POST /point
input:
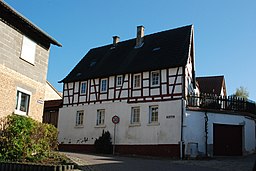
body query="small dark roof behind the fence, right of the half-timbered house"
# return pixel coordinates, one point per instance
(211, 84)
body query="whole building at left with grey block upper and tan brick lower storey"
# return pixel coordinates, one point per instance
(24, 53)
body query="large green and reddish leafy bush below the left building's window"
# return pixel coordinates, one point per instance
(24, 139)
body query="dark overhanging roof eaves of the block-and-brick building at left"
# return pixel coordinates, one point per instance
(16, 20)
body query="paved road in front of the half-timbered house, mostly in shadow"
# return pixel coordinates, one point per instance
(119, 163)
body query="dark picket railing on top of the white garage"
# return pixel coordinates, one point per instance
(230, 103)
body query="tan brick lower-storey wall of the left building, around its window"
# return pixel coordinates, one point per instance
(10, 80)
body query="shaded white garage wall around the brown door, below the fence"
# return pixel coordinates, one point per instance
(194, 129)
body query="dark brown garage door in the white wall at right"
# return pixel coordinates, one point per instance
(227, 140)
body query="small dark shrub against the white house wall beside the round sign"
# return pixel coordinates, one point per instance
(103, 144)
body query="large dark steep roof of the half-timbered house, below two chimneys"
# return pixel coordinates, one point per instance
(160, 50)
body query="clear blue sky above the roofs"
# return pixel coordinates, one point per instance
(225, 31)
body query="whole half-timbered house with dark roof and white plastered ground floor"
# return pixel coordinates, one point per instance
(143, 81)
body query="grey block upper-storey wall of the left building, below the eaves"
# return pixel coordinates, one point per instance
(10, 52)
